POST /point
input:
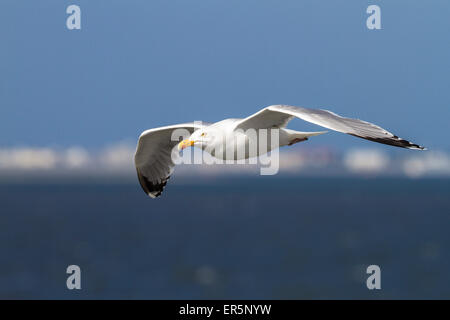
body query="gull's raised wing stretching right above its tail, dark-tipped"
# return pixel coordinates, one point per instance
(280, 115)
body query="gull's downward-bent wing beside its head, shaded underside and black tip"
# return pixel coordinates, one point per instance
(153, 158)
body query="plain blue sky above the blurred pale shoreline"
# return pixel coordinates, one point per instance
(141, 64)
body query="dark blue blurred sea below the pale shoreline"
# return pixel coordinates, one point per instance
(258, 238)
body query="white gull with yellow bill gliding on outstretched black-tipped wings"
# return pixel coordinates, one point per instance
(154, 162)
